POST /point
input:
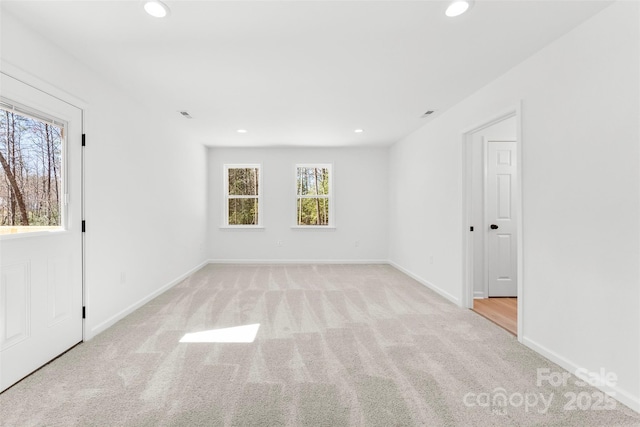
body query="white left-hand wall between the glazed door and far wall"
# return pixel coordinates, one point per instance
(145, 187)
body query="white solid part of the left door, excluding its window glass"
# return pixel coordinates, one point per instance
(41, 271)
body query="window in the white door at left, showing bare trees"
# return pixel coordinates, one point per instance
(31, 172)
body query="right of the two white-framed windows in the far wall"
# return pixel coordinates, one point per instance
(313, 196)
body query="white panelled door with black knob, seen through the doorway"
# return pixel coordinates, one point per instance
(501, 227)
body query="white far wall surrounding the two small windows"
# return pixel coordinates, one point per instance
(360, 184)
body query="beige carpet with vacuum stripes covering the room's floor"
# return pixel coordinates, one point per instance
(337, 346)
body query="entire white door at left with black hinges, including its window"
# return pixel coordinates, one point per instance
(40, 265)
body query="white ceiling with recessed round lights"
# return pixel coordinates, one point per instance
(301, 73)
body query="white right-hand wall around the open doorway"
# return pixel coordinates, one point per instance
(581, 214)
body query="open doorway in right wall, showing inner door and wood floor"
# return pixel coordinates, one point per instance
(492, 285)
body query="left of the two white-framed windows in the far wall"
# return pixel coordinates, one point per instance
(242, 185)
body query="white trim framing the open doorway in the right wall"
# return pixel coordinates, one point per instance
(467, 235)
